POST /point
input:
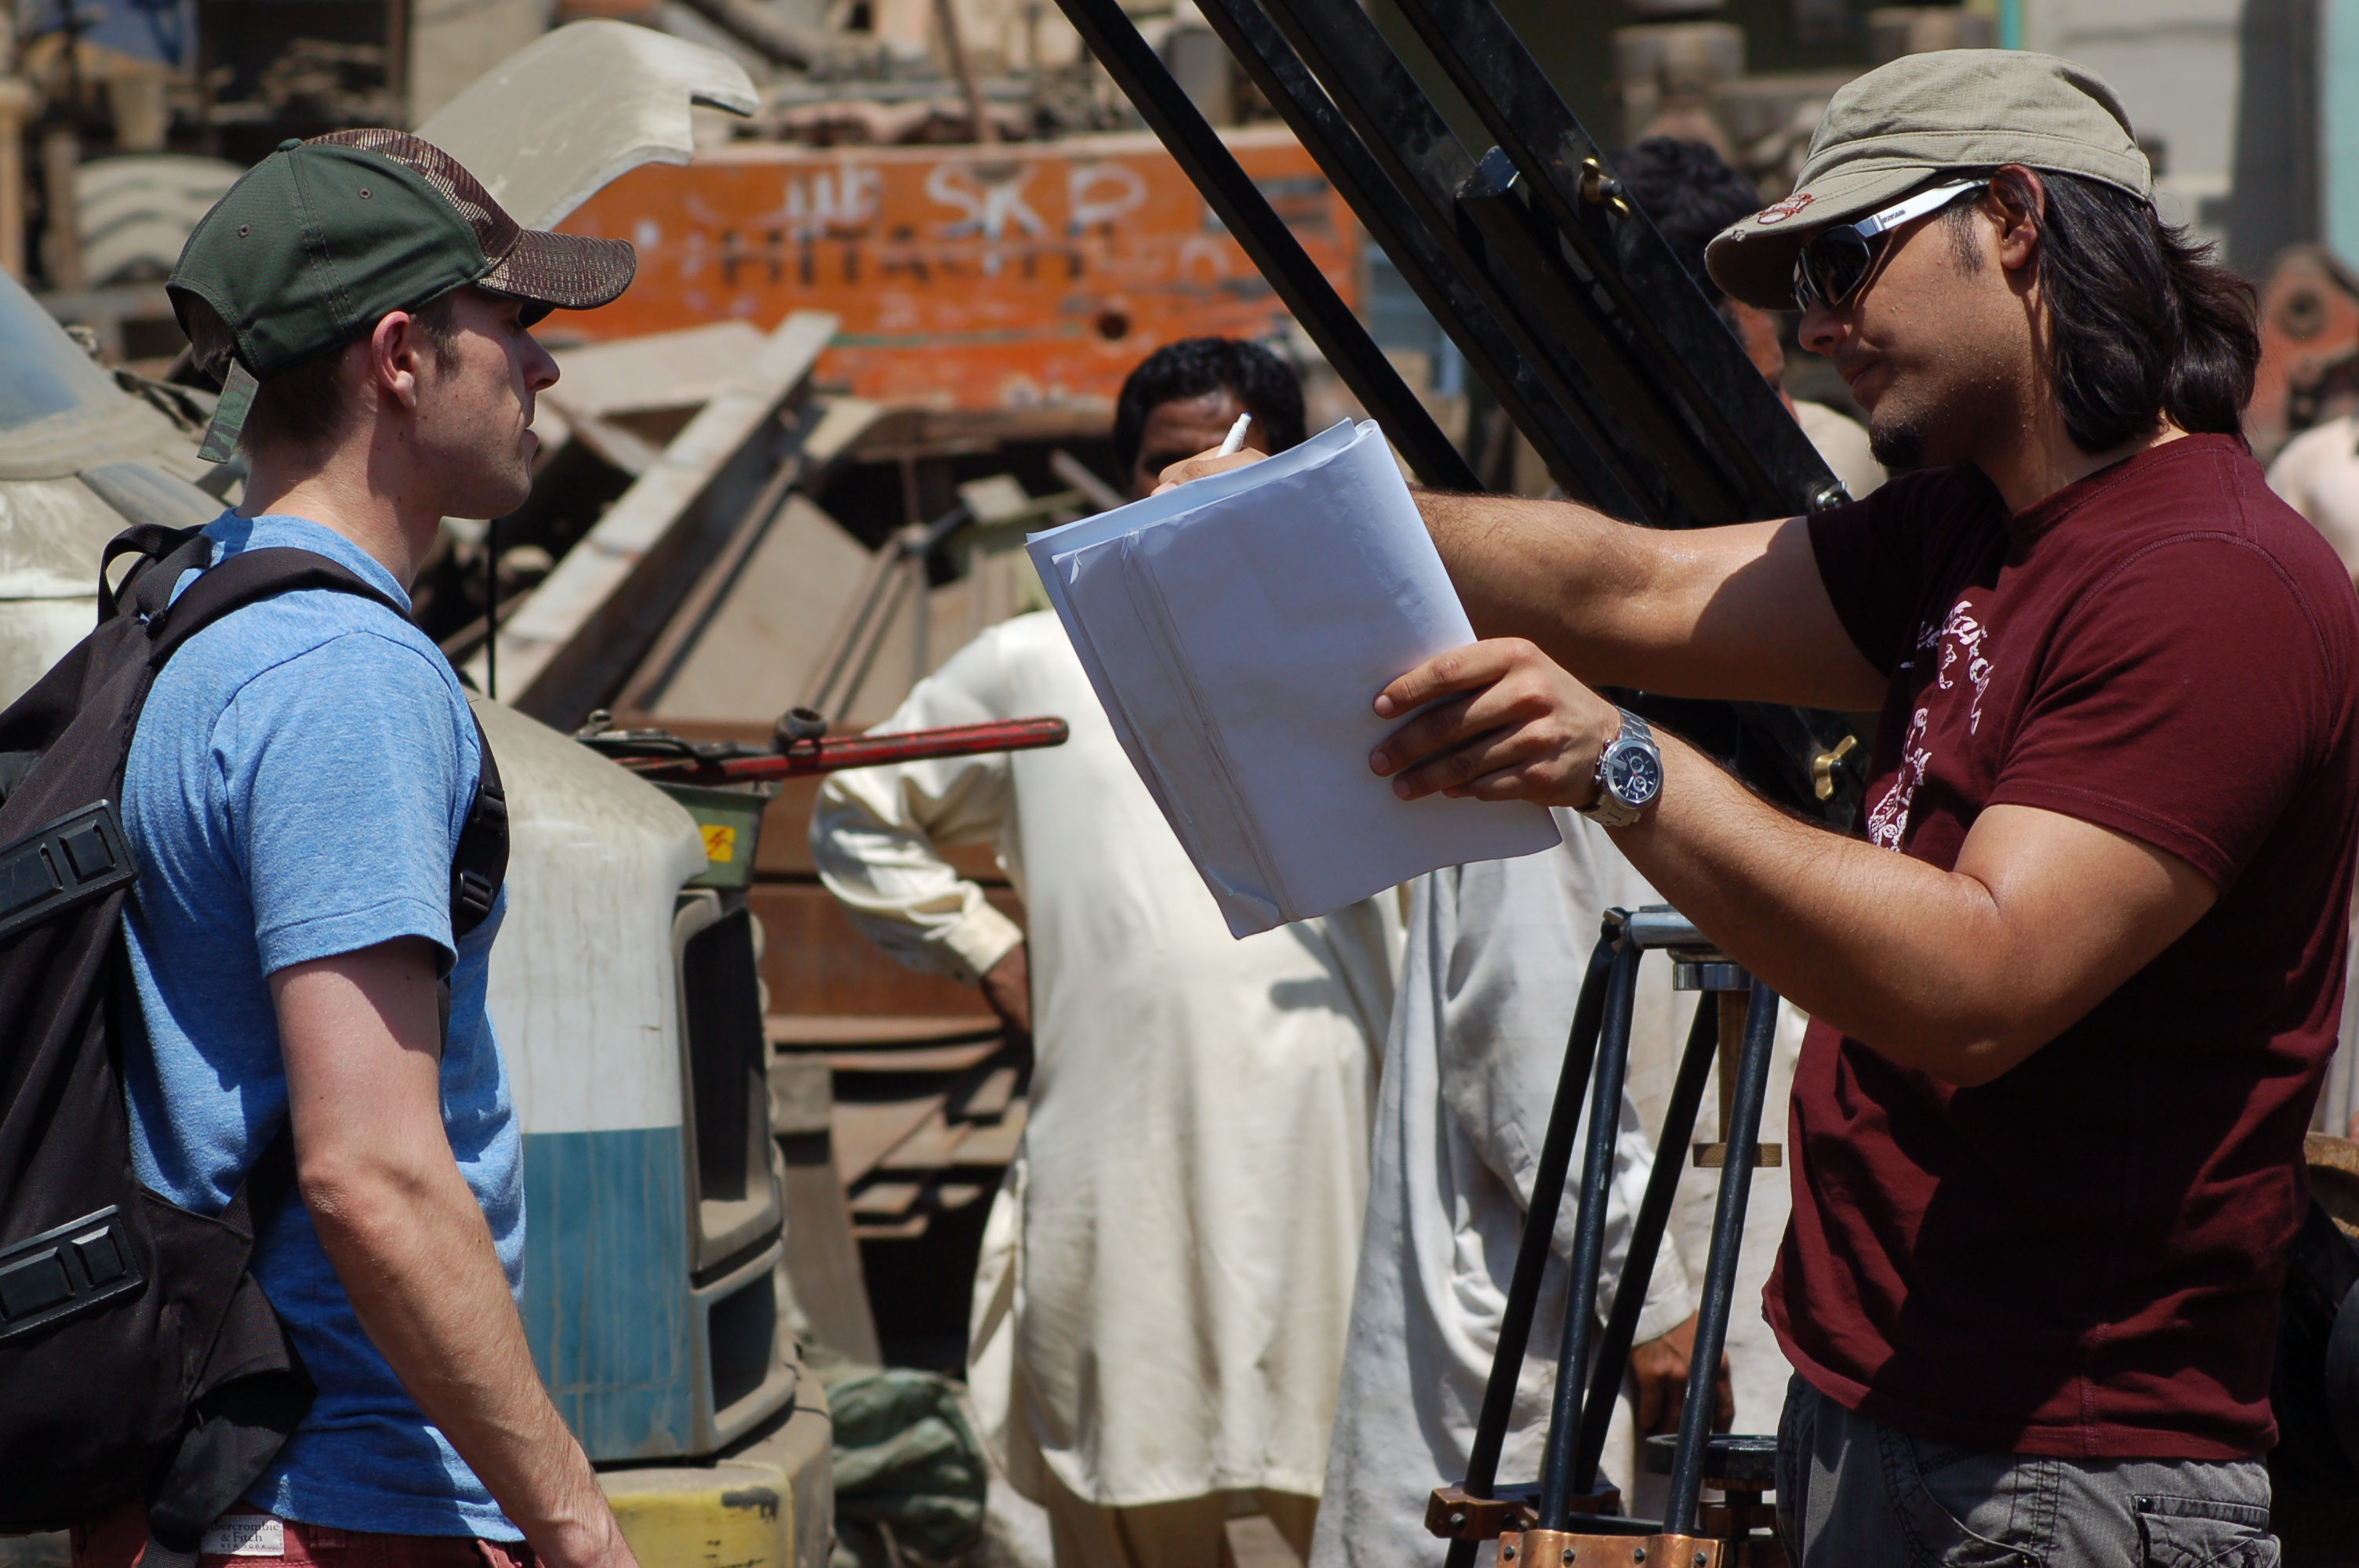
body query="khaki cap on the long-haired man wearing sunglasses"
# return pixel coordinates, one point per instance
(1919, 119)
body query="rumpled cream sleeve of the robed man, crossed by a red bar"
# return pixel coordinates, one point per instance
(876, 834)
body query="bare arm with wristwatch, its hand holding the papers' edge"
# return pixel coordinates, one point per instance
(1959, 973)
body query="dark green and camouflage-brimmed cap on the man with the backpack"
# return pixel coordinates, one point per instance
(324, 237)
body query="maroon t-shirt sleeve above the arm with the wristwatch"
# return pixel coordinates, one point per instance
(2183, 704)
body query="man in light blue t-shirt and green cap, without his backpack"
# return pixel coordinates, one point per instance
(305, 954)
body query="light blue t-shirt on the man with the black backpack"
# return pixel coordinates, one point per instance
(296, 791)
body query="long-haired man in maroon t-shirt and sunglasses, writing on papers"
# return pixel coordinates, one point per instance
(2077, 977)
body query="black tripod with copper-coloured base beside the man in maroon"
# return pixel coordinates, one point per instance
(1570, 1520)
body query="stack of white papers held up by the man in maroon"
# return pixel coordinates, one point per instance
(1237, 633)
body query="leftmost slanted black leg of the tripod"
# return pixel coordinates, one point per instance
(1539, 1227)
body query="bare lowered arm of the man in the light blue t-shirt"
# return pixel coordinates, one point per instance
(362, 1039)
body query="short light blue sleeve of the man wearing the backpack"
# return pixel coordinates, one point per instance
(346, 779)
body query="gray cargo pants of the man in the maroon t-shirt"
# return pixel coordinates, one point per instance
(1853, 1494)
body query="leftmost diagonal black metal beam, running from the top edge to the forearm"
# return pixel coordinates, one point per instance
(1273, 246)
